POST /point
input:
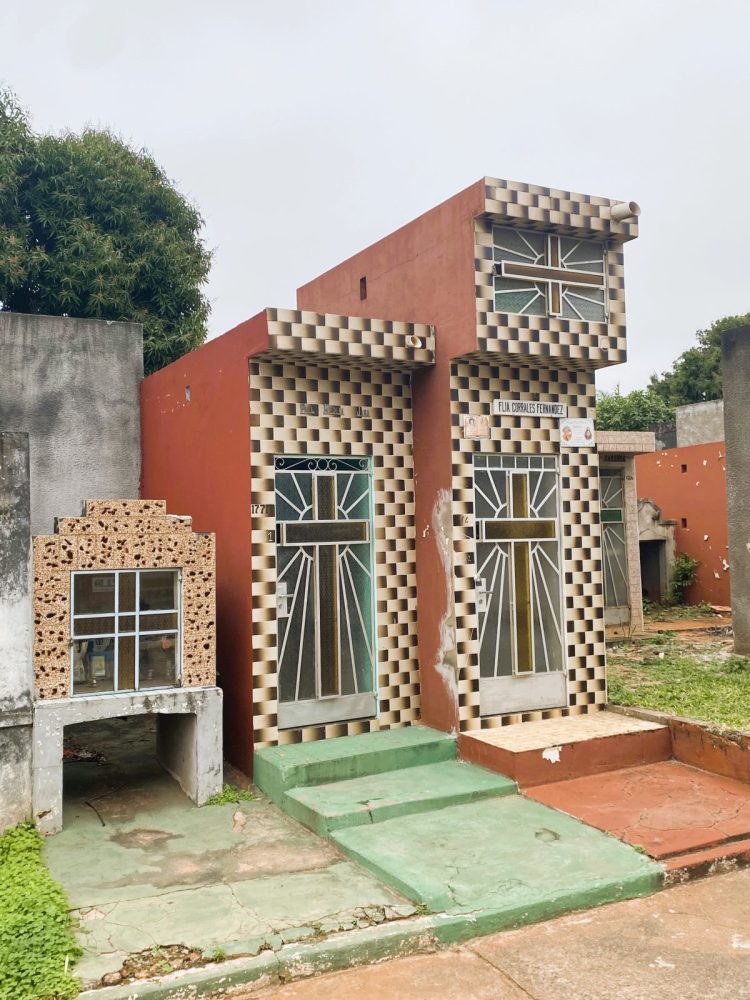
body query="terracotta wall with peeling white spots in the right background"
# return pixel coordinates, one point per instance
(689, 485)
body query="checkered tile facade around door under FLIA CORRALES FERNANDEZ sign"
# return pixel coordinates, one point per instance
(474, 385)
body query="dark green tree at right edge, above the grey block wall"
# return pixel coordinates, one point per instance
(696, 375)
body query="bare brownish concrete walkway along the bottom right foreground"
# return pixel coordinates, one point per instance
(690, 942)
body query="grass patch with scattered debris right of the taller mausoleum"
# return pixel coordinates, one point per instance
(706, 685)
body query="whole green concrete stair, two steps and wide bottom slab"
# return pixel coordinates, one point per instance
(453, 837)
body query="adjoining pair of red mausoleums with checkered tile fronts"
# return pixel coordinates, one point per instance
(402, 475)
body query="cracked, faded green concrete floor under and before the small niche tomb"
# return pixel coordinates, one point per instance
(138, 871)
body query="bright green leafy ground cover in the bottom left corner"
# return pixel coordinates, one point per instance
(37, 946)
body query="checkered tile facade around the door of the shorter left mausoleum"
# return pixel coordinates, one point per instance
(277, 428)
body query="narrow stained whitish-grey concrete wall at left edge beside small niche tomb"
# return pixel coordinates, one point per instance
(16, 675)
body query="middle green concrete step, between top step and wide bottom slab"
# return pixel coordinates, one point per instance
(377, 797)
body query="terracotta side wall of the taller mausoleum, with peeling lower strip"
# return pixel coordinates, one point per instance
(423, 273)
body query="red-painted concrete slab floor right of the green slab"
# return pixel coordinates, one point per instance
(667, 808)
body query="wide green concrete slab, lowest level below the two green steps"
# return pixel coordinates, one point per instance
(504, 860)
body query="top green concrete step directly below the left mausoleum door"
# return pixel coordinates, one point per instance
(320, 762)
